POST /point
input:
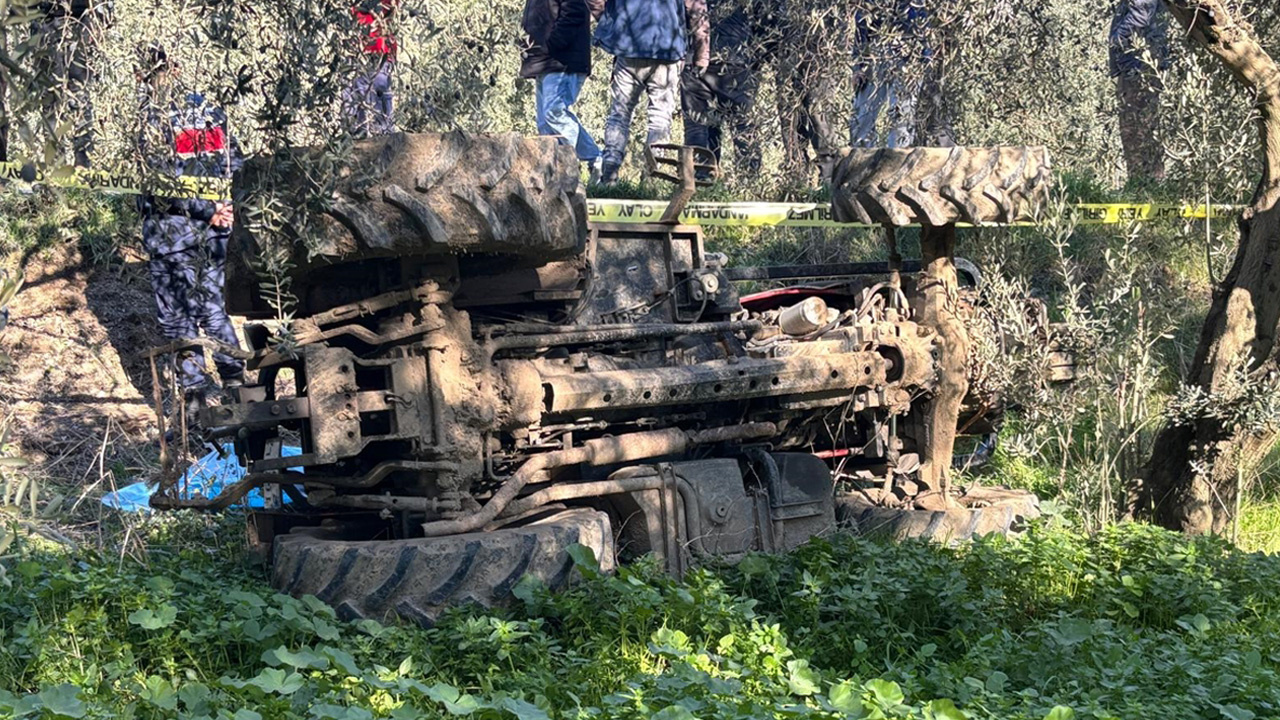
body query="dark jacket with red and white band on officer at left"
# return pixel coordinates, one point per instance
(191, 139)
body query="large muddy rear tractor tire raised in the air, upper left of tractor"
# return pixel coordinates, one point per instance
(415, 195)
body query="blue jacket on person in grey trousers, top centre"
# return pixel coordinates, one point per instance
(656, 30)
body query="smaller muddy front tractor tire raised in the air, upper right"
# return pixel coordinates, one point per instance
(939, 186)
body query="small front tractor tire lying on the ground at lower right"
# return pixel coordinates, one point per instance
(1007, 517)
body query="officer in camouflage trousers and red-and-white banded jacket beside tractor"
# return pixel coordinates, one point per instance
(188, 239)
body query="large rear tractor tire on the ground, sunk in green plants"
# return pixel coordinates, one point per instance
(417, 580)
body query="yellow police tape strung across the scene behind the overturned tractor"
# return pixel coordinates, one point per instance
(604, 211)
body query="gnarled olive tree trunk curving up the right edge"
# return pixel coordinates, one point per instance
(1192, 477)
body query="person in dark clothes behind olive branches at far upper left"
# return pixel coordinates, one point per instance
(67, 37)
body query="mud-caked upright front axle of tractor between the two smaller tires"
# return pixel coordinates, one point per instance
(939, 293)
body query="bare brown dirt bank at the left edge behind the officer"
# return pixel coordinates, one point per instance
(79, 394)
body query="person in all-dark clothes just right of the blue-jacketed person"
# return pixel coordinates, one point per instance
(725, 93)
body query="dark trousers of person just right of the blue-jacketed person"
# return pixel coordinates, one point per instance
(721, 97)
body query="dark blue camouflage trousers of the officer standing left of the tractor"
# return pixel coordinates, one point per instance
(189, 288)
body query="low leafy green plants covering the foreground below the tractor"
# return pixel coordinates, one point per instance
(1131, 623)
